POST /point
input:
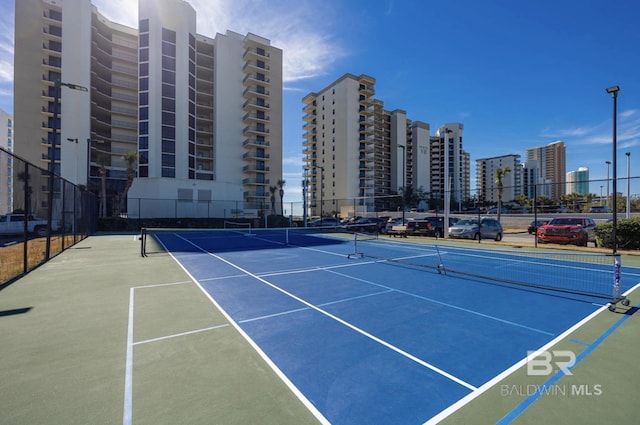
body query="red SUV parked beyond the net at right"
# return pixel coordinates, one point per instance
(568, 230)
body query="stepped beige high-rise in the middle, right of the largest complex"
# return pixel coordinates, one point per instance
(359, 156)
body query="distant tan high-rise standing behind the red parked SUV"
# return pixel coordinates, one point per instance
(552, 166)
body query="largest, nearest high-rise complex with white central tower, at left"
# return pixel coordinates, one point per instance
(202, 114)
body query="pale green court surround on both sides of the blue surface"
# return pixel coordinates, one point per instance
(69, 328)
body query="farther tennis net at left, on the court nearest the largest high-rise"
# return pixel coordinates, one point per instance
(155, 240)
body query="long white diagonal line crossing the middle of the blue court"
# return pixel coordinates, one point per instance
(337, 319)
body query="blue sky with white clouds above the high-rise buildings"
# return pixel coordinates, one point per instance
(516, 74)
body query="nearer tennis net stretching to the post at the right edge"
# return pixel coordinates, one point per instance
(589, 274)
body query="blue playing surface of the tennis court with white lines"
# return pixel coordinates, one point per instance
(367, 340)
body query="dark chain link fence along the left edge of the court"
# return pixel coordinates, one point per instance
(37, 223)
